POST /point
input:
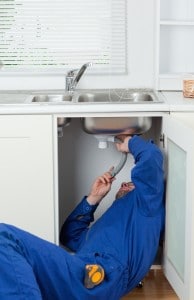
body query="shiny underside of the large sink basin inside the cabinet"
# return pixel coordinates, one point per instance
(116, 125)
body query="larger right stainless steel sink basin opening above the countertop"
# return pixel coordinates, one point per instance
(133, 96)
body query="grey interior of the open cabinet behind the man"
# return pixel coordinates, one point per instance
(80, 162)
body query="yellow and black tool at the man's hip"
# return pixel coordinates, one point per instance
(94, 275)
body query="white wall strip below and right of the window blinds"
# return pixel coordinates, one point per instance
(141, 58)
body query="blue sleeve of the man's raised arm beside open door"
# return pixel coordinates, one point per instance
(147, 175)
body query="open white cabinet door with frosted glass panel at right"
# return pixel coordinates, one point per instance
(179, 232)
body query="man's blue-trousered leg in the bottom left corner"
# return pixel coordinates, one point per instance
(17, 280)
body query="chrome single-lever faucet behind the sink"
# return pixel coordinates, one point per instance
(73, 77)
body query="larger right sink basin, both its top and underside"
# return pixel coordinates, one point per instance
(118, 125)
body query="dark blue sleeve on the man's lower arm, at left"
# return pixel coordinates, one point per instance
(74, 230)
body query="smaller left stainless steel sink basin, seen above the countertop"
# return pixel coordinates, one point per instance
(52, 98)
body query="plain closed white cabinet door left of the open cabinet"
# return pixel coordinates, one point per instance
(26, 173)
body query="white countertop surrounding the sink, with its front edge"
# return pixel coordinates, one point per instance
(18, 102)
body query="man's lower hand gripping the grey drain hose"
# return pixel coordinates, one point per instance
(100, 188)
